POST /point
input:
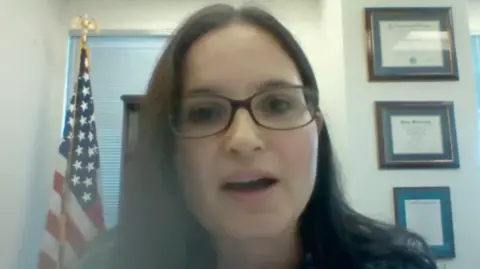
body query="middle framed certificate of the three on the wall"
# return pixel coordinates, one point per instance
(416, 135)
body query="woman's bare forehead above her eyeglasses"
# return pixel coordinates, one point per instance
(235, 59)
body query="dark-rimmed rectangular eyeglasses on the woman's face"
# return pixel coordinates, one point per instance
(282, 108)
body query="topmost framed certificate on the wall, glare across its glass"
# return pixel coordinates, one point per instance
(410, 44)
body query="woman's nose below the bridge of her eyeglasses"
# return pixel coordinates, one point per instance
(243, 138)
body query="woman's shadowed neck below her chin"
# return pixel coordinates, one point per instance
(282, 252)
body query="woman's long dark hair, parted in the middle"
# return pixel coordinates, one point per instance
(156, 230)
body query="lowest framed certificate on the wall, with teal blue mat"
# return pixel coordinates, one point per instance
(427, 211)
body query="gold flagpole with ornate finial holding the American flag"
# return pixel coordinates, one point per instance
(85, 24)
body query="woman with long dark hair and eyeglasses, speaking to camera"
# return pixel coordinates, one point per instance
(234, 167)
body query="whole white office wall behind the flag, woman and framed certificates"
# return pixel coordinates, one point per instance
(331, 34)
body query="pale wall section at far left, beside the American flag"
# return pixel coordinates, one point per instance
(32, 47)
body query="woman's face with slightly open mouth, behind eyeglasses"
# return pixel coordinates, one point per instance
(237, 62)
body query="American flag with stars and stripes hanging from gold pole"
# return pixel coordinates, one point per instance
(75, 214)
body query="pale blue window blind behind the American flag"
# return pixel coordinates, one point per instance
(119, 65)
